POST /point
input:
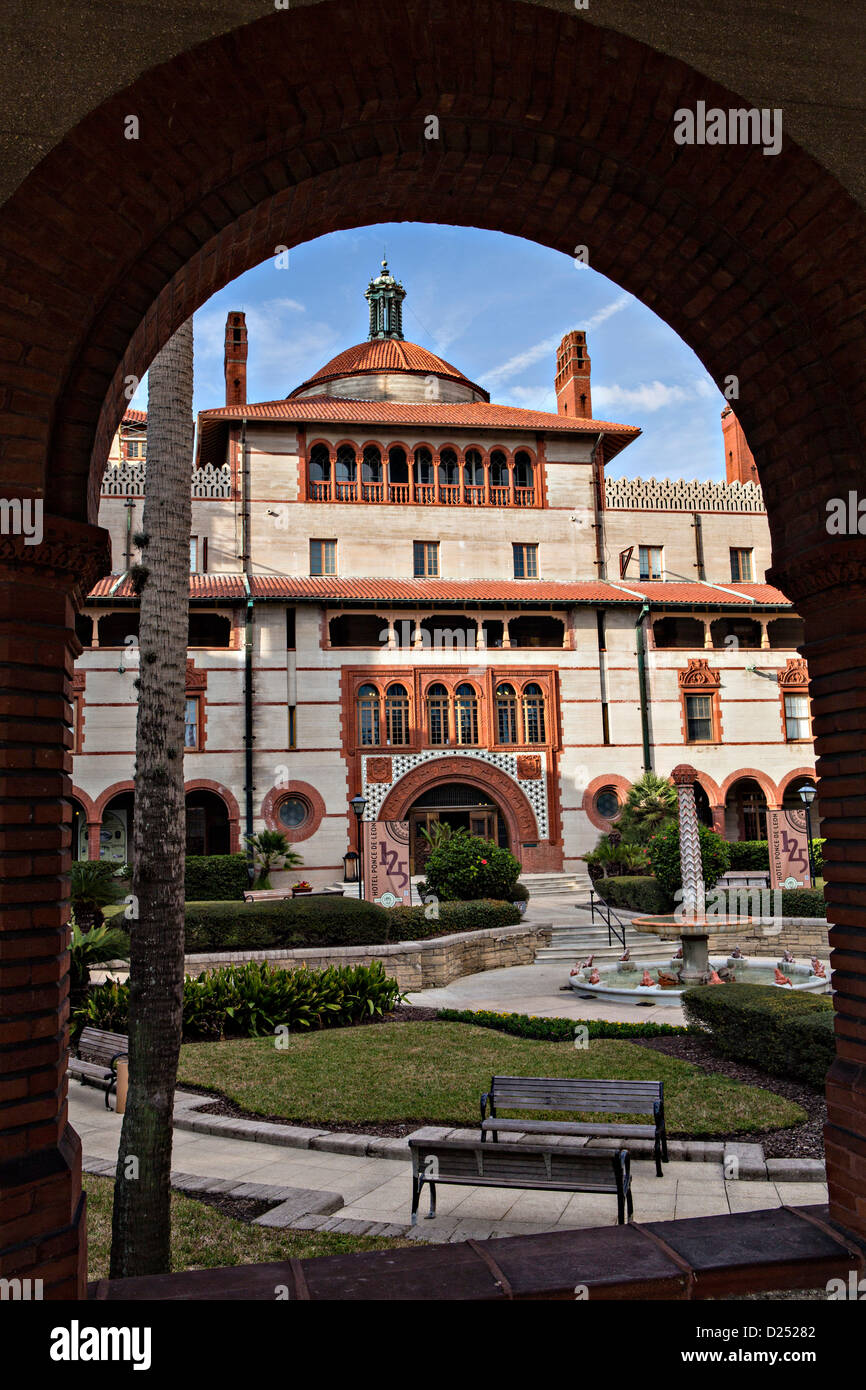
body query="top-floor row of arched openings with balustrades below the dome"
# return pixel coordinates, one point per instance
(451, 476)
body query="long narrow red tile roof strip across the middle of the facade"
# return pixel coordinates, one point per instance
(333, 589)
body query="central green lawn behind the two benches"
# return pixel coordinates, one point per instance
(433, 1074)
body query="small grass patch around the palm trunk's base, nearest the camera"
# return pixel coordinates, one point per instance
(202, 1238)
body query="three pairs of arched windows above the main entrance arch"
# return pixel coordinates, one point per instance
(451, 719)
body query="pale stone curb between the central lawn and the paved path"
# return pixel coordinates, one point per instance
(744, 1161)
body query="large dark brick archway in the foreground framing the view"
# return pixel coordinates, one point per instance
(758, 263)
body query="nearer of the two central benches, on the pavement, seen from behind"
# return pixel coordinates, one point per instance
(476, 1164)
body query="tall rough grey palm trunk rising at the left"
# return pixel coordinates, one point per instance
(142, 1214)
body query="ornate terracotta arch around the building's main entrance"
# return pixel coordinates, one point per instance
(532, 850)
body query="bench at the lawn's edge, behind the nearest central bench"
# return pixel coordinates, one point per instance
(550, 1093)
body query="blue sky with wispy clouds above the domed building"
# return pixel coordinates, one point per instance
(493, 305)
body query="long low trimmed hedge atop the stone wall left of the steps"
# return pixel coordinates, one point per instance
(332, 921)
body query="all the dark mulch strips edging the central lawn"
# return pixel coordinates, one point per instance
(804, 1140)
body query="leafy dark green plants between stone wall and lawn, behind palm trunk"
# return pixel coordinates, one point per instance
(254, 1000)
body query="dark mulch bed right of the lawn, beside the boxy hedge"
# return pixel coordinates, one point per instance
(804, 1140)
